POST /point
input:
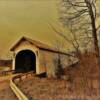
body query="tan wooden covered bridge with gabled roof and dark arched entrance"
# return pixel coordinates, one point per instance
(31, 55)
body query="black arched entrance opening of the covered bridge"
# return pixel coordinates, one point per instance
(25, 61)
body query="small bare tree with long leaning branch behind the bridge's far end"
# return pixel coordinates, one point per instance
(73, 40)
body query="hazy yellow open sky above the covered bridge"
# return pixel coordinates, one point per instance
(29, 18)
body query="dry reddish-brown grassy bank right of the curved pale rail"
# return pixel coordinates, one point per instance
(82, 83)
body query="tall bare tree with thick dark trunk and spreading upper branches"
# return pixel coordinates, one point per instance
(80, 16)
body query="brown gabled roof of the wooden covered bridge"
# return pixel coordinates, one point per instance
(39, 45)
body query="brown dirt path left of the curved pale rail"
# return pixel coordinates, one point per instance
(5, 91)
